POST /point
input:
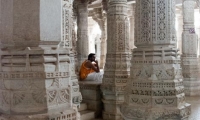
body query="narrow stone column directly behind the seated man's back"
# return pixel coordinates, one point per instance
(82, 31)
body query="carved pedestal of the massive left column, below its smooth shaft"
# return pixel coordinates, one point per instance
(37, 81)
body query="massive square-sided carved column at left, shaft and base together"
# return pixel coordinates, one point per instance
(37, 78)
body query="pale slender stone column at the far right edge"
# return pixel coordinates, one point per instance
(190, 50)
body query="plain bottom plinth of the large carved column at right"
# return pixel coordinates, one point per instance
(144, 113)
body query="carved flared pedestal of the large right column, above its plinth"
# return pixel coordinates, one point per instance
(155, 80)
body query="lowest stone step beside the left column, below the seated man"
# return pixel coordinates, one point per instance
(87, 115)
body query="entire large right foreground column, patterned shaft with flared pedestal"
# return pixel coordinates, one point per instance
(155, 89)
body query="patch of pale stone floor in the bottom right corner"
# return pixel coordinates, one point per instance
(195, 104)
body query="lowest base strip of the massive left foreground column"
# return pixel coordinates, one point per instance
(66, 115)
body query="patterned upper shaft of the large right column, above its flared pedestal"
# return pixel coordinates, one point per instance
(155, 27)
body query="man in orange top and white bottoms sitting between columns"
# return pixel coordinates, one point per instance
(90, 69)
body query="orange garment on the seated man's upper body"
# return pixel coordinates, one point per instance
(84, 71)
